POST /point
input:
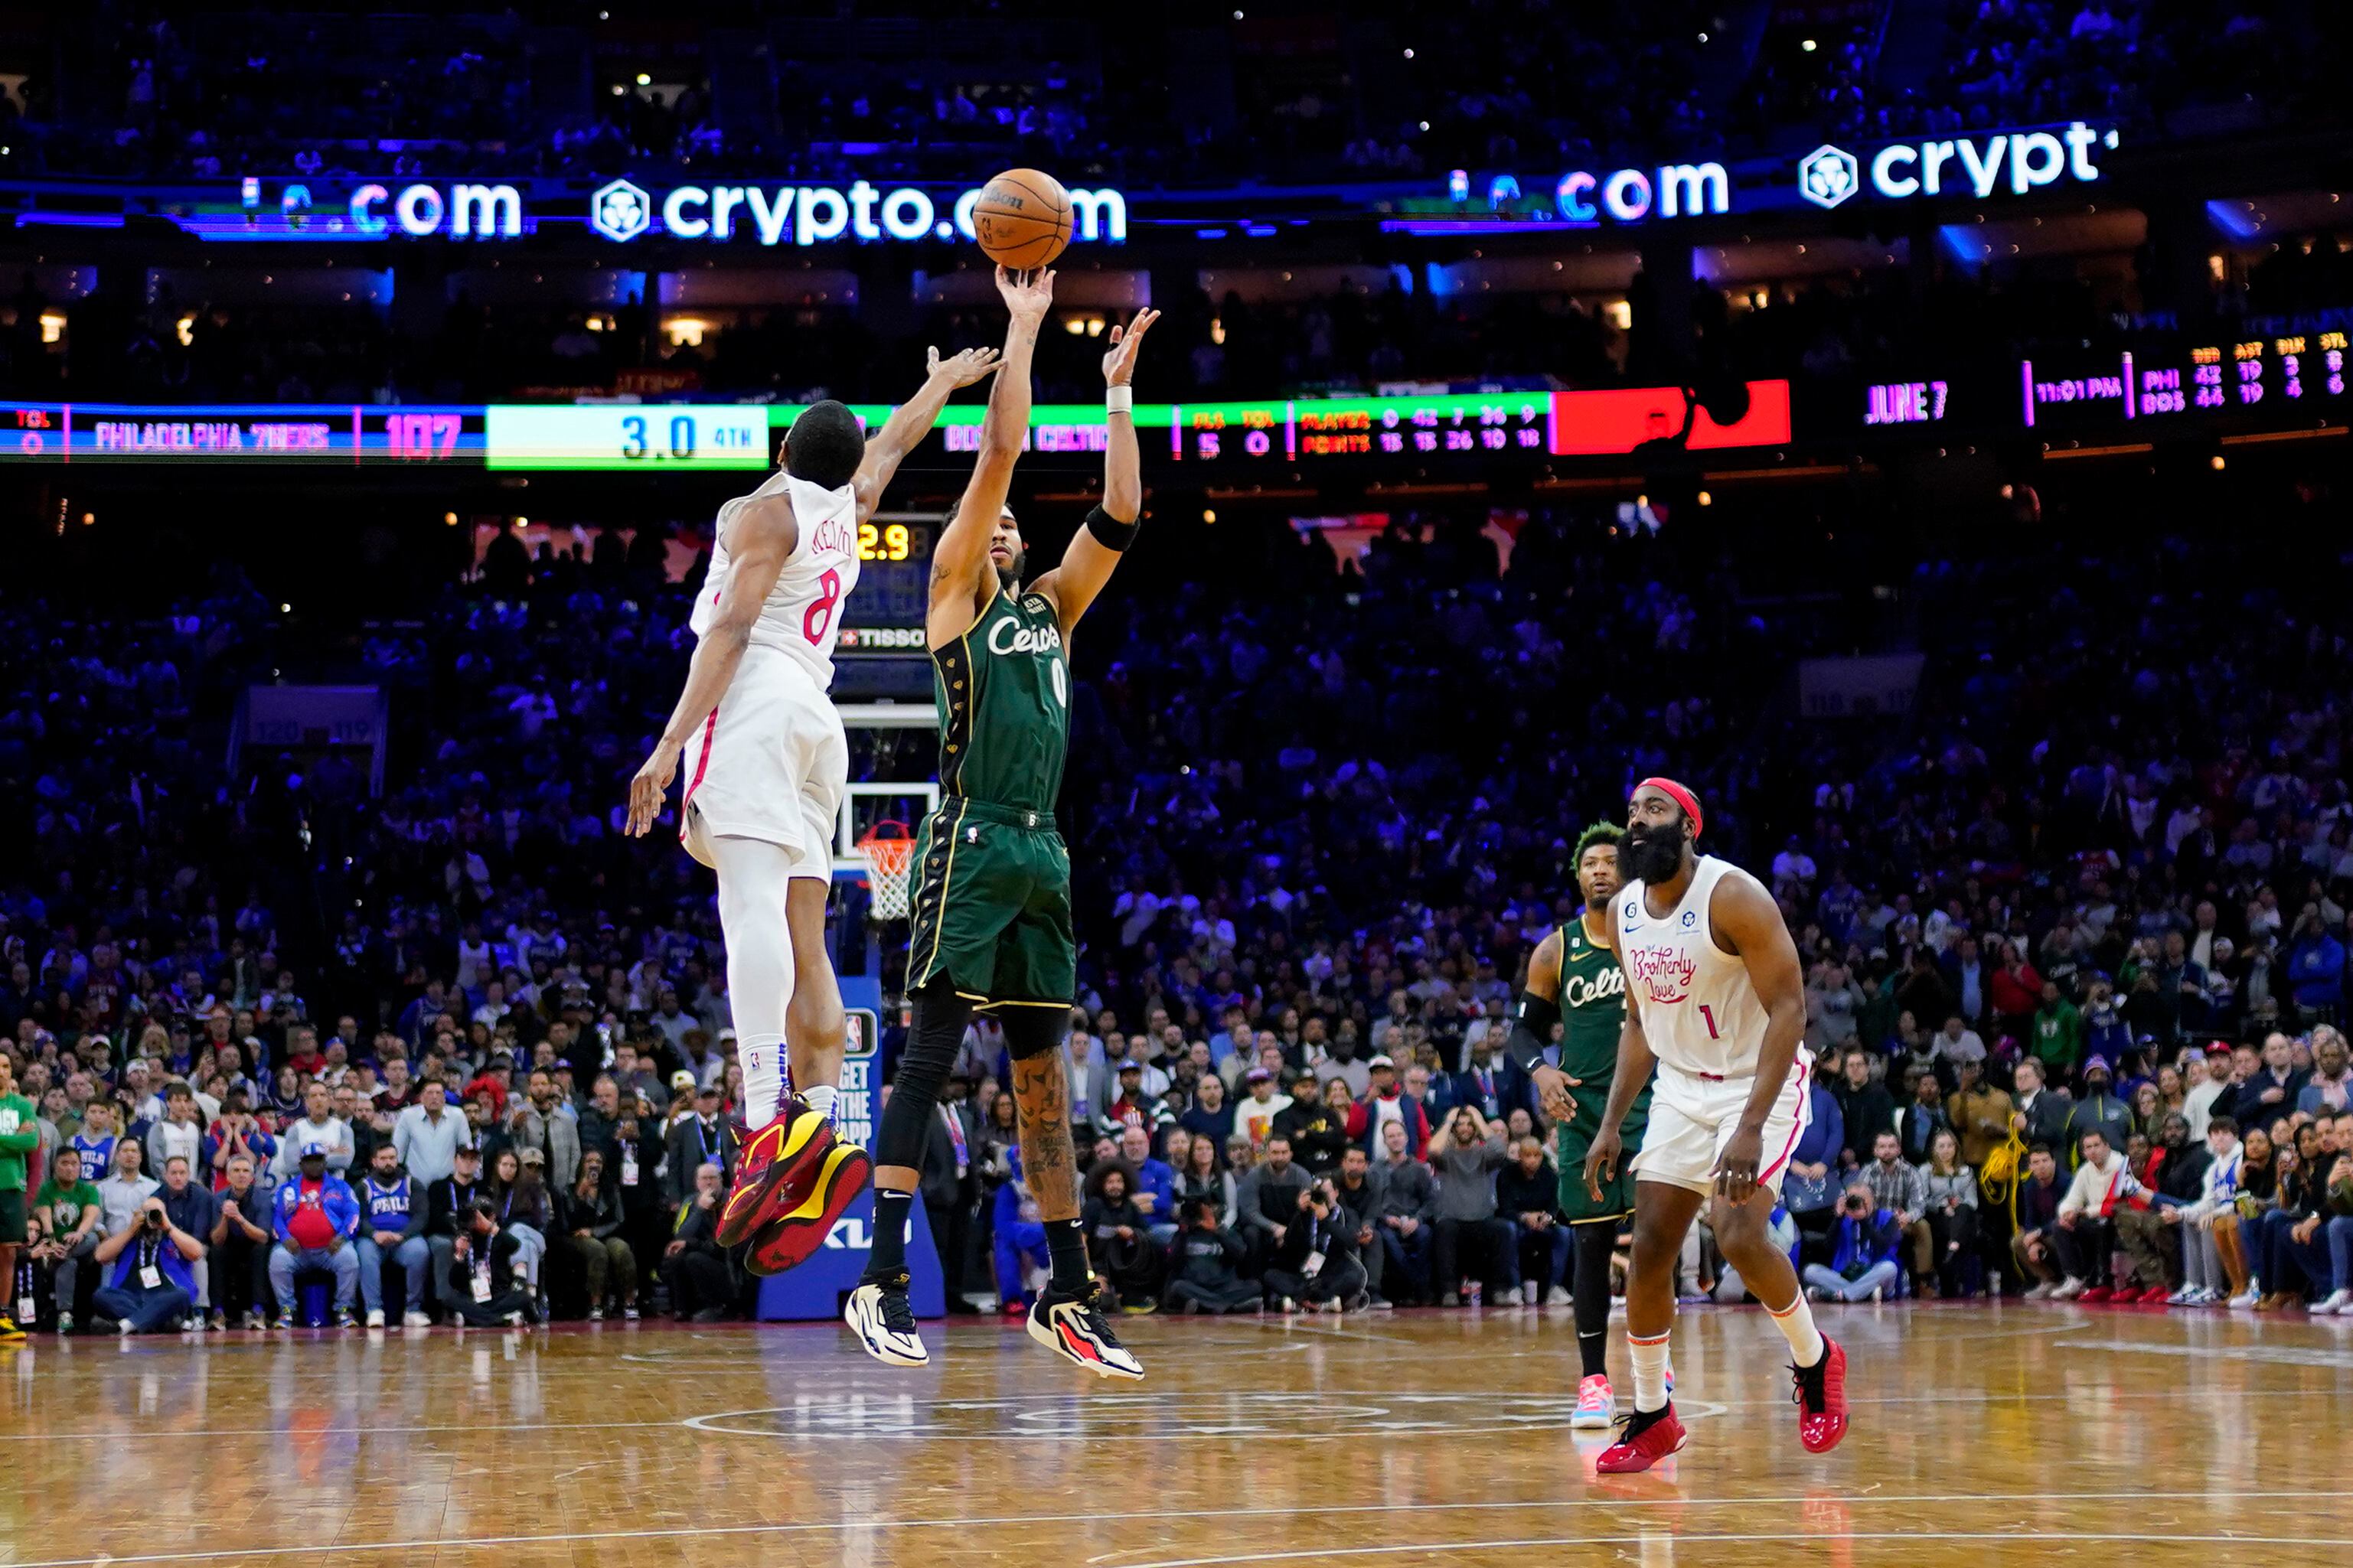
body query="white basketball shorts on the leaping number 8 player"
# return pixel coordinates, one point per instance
(771, 765)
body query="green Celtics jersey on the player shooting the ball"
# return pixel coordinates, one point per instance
(1006, 706)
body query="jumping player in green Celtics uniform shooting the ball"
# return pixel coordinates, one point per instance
(992, 920)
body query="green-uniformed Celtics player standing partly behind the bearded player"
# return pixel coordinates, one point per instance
(1575, 981)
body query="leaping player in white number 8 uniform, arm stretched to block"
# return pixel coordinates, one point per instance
(771, 768)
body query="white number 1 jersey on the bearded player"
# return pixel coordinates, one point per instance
(1700, 1010)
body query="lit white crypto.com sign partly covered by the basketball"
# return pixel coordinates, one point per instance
(818, 215)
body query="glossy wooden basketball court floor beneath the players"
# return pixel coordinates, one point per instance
(2067, 1435)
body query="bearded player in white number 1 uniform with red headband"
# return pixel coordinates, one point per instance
(1719, 1007)
